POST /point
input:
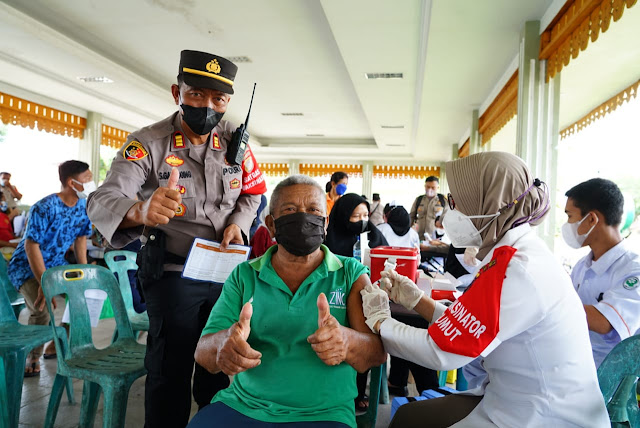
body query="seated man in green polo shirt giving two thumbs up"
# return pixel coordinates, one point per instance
(289, 325)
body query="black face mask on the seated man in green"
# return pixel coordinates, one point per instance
(300, 233)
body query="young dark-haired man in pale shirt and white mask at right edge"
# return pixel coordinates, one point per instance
(608, 278)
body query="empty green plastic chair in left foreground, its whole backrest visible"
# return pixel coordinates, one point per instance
(111, 370)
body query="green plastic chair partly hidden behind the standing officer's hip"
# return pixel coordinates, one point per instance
(121, 262)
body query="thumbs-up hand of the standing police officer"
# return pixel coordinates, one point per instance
(162, 205)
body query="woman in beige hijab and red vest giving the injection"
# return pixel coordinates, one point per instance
(520, 315)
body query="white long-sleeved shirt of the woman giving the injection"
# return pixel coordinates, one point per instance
(539, 366)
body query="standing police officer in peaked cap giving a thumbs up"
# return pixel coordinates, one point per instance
(171, 181)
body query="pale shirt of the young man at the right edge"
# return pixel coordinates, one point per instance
(612, 285)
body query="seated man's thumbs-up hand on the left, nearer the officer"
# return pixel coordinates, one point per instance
(236, 355)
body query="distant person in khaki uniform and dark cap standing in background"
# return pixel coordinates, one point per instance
(427, 208)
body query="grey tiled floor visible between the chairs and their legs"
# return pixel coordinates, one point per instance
(36, 390)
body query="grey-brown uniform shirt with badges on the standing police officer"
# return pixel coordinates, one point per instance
(209, 186)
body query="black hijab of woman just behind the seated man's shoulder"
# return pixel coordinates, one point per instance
(339, 239)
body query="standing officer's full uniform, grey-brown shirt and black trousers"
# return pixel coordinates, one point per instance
(177, 307)
